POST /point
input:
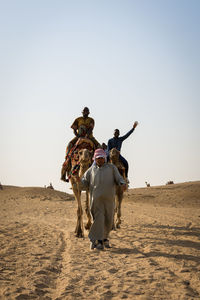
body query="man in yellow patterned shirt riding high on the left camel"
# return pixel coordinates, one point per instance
(83, 128)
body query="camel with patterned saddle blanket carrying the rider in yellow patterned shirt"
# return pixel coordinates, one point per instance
(81, 160)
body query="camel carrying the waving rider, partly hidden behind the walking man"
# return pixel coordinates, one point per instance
(114, 159)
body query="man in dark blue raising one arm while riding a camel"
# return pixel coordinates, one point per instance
(116, 142)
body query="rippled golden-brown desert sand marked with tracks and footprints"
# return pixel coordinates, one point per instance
(155, 254)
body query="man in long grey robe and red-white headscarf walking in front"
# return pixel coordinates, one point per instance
(101, 179)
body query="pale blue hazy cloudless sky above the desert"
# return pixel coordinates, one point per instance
(130, 60)
